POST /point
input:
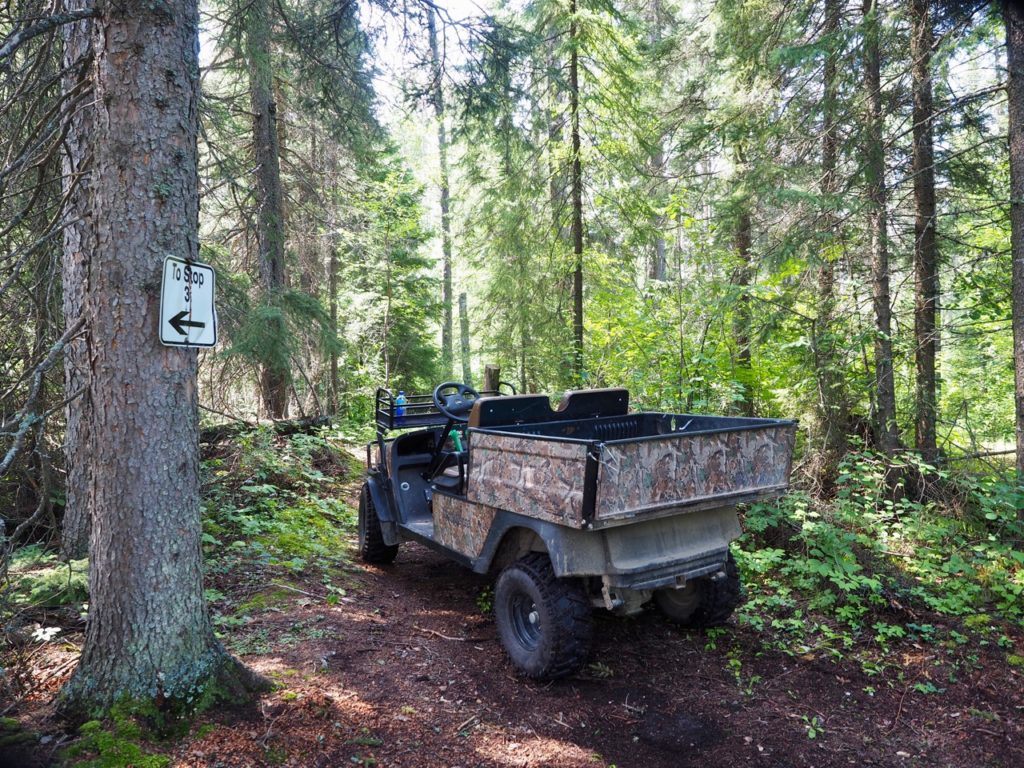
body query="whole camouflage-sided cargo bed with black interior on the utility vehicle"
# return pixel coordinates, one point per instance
(594, 473)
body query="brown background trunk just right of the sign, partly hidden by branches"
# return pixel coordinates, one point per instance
(268, 191)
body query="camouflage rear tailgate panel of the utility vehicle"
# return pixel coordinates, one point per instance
(732, 465)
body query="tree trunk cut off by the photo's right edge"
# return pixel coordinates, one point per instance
(1014, 17)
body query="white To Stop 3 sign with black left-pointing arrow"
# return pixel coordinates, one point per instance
(188, 317)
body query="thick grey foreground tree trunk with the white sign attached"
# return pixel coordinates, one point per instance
(149, 635)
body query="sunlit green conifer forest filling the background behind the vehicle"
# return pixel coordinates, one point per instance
(682, 199)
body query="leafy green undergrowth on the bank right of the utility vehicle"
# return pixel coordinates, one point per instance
(868, 574)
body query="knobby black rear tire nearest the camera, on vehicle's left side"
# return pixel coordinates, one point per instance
(545, 623)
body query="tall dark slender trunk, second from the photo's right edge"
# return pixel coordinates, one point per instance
(926, 254)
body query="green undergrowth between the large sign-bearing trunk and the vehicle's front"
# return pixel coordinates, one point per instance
(276, 520)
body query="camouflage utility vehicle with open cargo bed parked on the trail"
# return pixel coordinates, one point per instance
(583, 506)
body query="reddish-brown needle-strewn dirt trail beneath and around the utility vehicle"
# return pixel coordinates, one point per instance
(401, 666)
